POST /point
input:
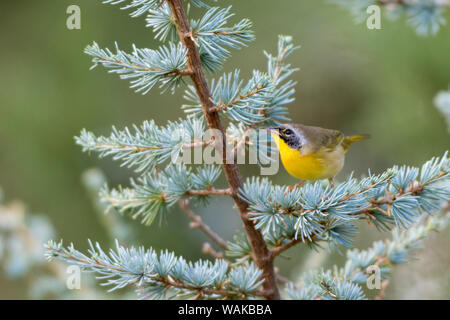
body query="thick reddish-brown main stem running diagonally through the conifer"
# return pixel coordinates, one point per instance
(260, 252)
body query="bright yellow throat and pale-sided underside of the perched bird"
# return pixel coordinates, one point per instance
(312, 166)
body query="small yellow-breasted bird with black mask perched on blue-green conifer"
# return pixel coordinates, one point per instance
(312, 153)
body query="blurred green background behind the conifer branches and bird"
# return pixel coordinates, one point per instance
(353, 79)
